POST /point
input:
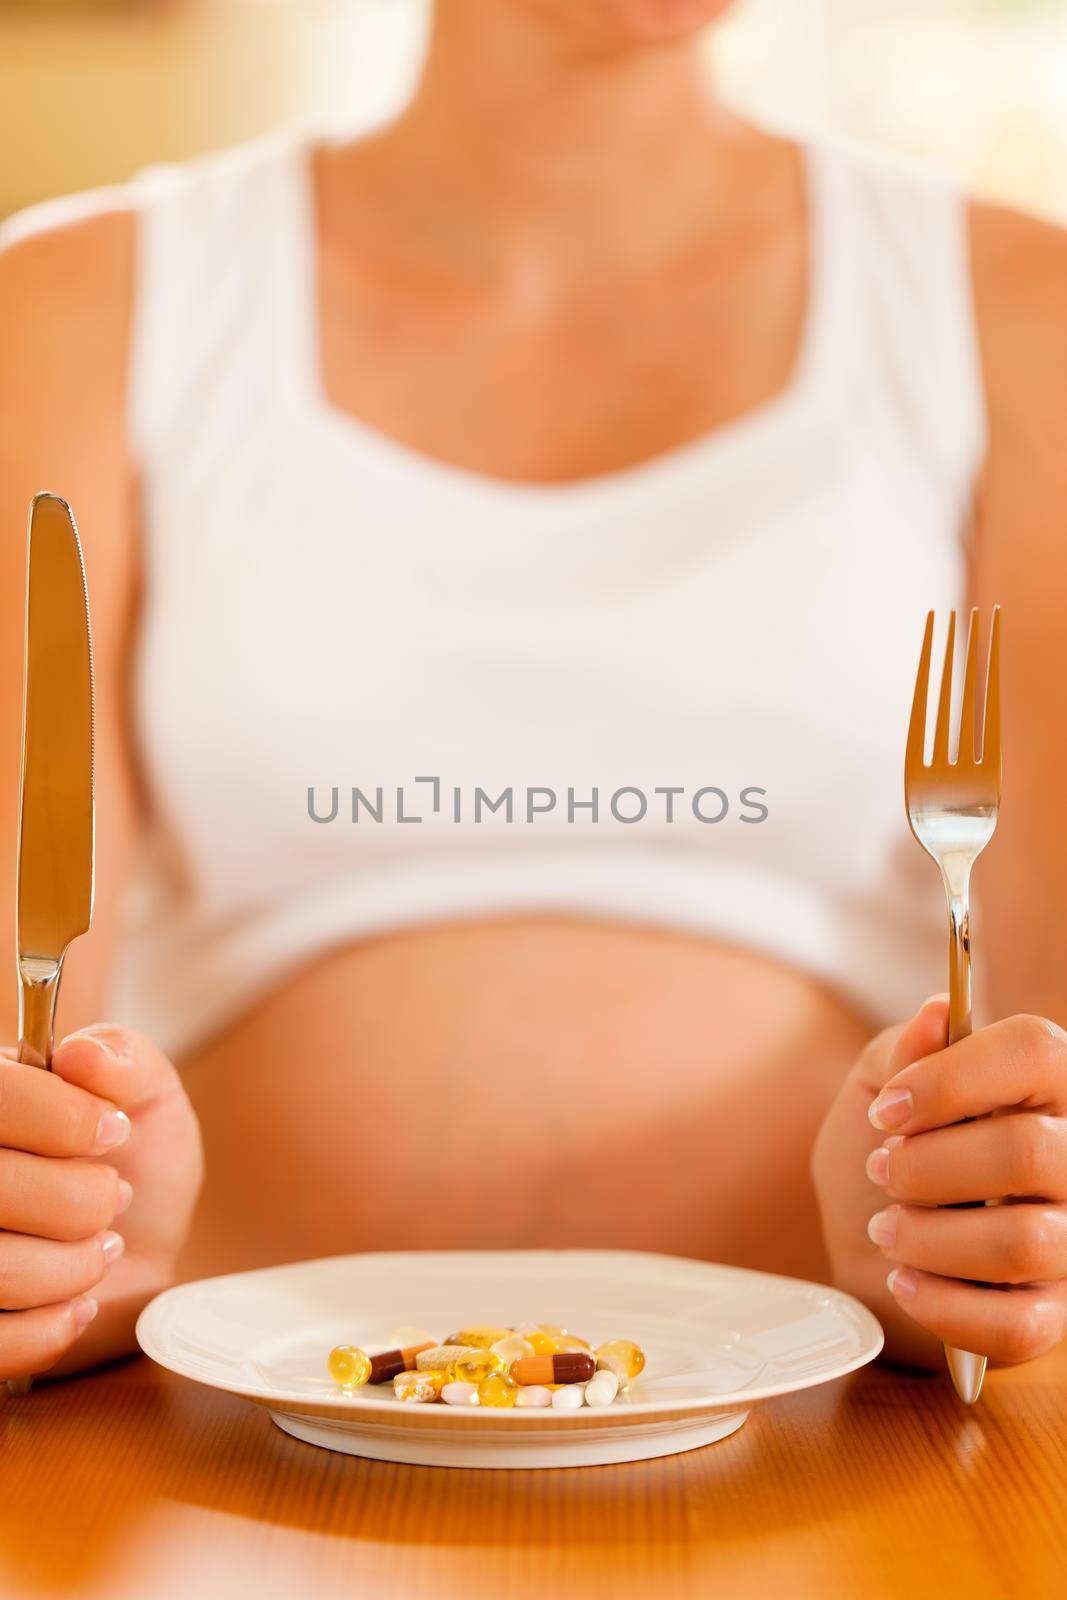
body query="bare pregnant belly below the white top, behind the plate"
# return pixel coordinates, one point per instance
(518, 1084)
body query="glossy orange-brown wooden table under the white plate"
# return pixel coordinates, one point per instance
(135, 1484)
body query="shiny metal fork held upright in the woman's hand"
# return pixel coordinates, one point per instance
(953, 810)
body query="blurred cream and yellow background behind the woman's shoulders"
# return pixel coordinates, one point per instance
(90, 90)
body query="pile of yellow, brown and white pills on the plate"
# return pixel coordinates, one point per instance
(529, 1367)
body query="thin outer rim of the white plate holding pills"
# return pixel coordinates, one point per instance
(374, 1412)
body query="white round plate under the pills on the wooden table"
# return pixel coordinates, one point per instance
(717, 1342)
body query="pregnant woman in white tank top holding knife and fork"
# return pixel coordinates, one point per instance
(564, 436)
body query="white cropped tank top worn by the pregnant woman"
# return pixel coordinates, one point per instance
(737, 622)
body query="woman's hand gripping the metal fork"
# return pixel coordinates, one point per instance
(897, 1153)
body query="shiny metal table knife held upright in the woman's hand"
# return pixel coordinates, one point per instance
(57, 818)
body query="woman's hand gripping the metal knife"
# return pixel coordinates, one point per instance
(100, 1172)
